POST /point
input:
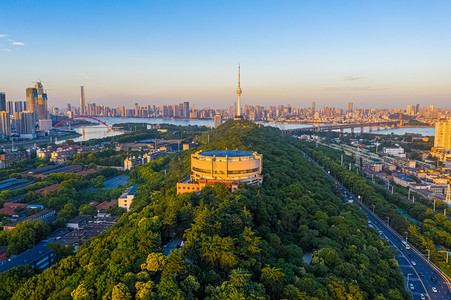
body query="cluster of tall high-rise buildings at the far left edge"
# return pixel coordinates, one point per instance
(24, 118)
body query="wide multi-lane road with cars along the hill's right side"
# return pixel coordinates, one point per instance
(417, 270)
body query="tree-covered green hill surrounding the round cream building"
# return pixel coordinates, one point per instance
(249, 244)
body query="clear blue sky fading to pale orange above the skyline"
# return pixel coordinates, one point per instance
(374, 53)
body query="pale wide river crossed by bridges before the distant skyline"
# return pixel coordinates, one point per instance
(100, 131)
